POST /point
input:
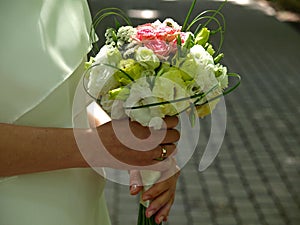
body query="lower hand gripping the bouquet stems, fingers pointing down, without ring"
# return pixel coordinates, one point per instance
(161, 194)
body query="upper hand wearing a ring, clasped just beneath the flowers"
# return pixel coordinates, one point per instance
(138, 149)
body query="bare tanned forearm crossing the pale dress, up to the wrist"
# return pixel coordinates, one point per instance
(32, 149)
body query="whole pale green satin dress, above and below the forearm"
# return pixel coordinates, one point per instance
(42, 48)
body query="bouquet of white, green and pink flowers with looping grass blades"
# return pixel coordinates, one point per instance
(158, 69)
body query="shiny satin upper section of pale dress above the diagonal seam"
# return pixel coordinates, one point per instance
(42, 43)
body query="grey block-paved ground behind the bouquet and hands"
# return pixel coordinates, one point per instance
(255, 178)
